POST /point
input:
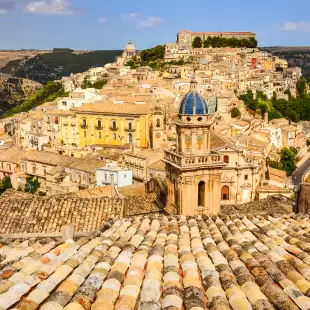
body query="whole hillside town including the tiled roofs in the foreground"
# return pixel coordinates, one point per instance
(154, 185)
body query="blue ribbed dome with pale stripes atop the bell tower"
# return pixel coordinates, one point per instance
(193, 104)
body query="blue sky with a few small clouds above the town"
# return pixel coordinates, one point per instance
(108, 24)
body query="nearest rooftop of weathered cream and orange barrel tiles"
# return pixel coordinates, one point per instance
(160, 262)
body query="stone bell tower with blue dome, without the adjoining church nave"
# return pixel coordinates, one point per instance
(193, 172)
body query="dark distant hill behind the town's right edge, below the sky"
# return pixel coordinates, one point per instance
(297, 56)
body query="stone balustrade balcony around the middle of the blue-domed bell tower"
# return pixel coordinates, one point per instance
(190, 161)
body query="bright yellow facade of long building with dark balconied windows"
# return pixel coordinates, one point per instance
(95, 128)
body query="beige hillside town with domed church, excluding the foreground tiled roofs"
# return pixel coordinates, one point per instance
(141, 125)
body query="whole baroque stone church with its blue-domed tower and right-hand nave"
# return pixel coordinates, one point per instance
(204, 171)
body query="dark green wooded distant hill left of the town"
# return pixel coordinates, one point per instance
(58, 63)
